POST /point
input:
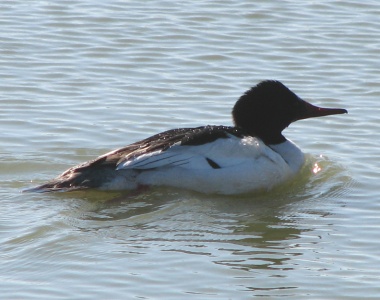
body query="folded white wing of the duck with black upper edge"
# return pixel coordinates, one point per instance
(198, 148)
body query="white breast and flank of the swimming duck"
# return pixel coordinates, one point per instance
(245, 165)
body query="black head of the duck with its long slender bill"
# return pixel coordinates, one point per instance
(269, 107)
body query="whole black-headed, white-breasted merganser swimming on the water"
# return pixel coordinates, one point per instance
(249, 156)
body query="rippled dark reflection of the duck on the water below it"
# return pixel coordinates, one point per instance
(248, 232)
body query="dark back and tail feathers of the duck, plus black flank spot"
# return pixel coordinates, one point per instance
(94, 173)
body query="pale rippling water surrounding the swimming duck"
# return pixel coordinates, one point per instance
(80, 78)
